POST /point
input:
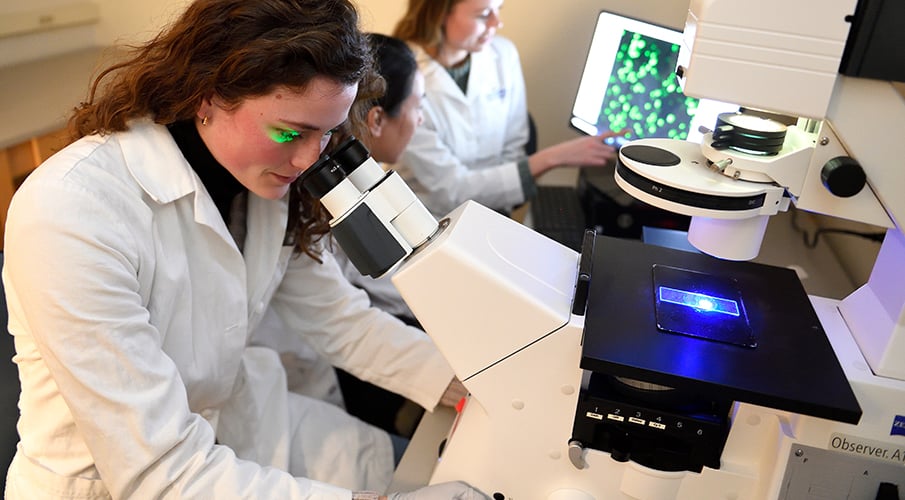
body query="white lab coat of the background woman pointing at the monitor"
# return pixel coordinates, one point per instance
(468, 144)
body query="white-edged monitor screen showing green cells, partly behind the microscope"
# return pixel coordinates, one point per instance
(629, 84)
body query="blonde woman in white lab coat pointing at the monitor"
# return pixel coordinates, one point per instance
(471, 145)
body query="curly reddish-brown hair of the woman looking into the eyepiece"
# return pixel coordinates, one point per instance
(237, 49)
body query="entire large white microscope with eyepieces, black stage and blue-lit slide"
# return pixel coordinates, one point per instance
(630, 371)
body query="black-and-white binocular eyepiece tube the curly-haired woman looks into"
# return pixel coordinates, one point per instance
(377, 219)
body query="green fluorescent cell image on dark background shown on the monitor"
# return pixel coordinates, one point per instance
(643, 94)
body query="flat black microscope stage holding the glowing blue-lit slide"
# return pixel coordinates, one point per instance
(730, 330)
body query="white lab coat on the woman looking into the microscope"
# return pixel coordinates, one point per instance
(131, 306)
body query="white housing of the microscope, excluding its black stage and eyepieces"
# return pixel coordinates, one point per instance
(497, 298)
